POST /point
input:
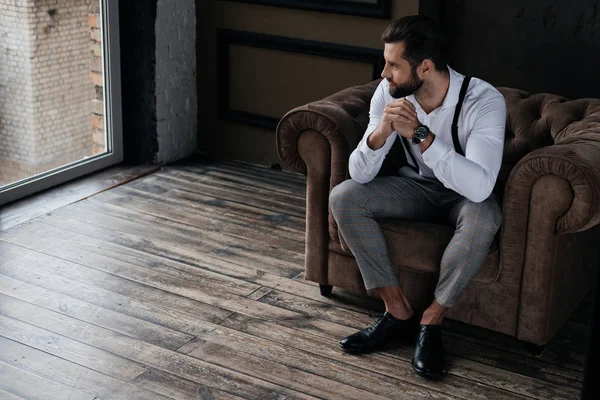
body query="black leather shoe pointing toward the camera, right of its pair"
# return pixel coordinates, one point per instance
(429, 352)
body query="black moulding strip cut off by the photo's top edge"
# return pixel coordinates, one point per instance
(376, 9)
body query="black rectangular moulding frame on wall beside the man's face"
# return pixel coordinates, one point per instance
(226, 38)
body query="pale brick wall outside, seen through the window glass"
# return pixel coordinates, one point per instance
(45, 86)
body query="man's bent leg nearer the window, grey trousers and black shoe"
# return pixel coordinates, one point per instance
(355, 207)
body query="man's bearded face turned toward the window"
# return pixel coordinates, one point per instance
(403, 80)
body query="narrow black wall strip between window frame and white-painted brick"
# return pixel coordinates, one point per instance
(138, 72)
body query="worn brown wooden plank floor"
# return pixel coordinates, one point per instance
(188, 284)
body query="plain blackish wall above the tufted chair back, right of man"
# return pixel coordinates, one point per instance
(537, 46)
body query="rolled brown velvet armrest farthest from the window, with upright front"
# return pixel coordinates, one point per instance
(551, 203)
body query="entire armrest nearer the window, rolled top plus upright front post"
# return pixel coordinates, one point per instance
(316, 140)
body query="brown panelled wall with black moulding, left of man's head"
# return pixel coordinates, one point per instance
(267, 82)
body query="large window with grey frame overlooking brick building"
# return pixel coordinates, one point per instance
(60, 92)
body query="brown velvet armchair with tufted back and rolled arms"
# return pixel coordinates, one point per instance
(547, 252)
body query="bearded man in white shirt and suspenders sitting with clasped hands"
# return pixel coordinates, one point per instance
(417, 102)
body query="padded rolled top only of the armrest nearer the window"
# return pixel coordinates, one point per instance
(341, 118)
